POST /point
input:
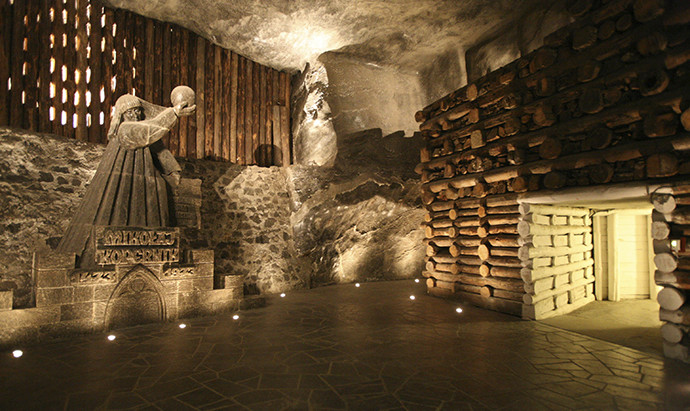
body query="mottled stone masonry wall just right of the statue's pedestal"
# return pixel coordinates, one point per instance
(245, 219)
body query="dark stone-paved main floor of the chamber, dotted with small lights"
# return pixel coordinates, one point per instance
(344, 347)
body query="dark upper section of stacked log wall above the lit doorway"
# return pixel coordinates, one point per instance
(605, 100)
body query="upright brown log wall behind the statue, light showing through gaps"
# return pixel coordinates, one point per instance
(64, 63)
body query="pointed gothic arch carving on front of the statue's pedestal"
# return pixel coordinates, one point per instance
(138, 299)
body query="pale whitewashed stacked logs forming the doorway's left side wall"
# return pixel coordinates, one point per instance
(557, 258)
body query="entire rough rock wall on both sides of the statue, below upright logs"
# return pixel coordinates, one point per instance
(280, 228)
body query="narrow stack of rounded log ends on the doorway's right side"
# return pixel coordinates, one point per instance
(670, 231)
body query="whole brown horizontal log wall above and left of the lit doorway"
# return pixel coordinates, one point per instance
(605, 100)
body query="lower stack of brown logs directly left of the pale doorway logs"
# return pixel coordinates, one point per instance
(472, 251)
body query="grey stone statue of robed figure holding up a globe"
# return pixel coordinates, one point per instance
(136, 176)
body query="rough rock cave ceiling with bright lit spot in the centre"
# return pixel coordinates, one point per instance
(286, 34)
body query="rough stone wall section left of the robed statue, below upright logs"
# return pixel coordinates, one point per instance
(42, 179)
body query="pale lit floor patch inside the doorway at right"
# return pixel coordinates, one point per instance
(630, 323)
